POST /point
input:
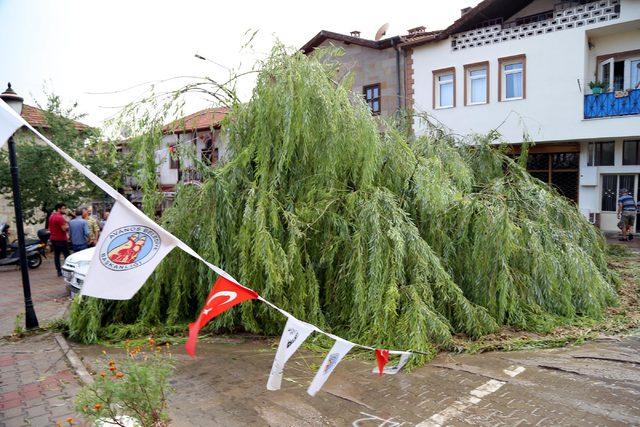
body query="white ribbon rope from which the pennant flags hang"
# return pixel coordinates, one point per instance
(179, 243)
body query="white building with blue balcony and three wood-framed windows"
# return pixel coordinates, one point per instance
(523, 67)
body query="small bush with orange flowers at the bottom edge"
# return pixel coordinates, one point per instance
(135, 387)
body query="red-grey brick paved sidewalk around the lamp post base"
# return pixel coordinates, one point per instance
(37, 386)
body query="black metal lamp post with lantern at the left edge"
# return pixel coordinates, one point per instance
(15, 102)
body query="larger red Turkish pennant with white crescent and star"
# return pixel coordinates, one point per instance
(224, 295)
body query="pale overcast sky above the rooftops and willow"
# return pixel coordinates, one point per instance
(81, 49)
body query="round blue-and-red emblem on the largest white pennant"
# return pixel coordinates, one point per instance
(129, 247)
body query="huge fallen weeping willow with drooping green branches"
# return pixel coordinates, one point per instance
(383, 239)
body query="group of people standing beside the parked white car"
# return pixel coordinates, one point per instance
(83, 231)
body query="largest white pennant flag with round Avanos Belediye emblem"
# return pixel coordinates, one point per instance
(130, 247)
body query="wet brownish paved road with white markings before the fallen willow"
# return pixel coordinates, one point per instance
(594, 384)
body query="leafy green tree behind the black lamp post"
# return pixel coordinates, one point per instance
(45, 177)
